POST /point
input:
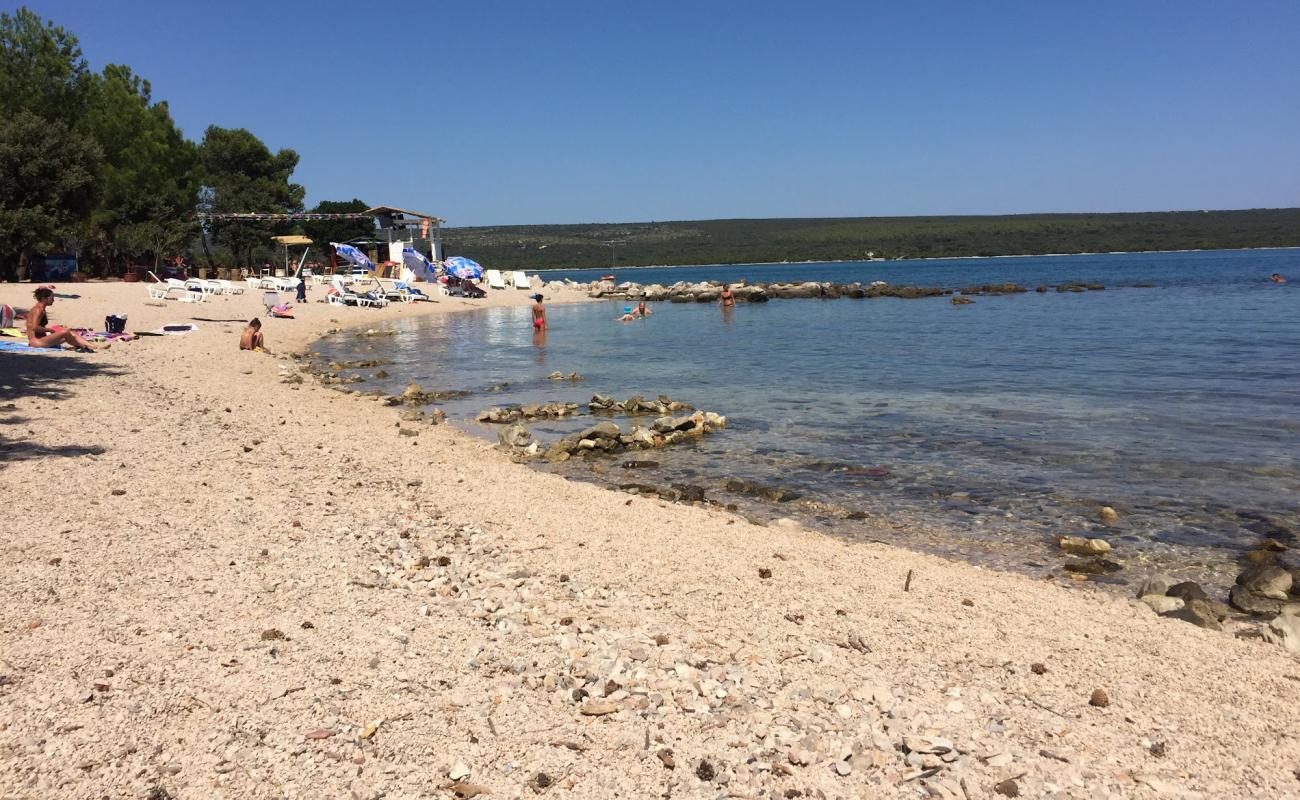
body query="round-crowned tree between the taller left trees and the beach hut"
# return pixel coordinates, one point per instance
(241, 175)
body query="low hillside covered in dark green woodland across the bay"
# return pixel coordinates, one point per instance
(723, 243)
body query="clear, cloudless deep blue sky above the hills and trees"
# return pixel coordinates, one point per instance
(495, 113)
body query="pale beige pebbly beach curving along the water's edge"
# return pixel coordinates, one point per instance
(226, 581)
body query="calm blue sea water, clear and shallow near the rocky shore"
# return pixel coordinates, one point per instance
(983, 431)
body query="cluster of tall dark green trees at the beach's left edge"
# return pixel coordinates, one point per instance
(92, 162)
